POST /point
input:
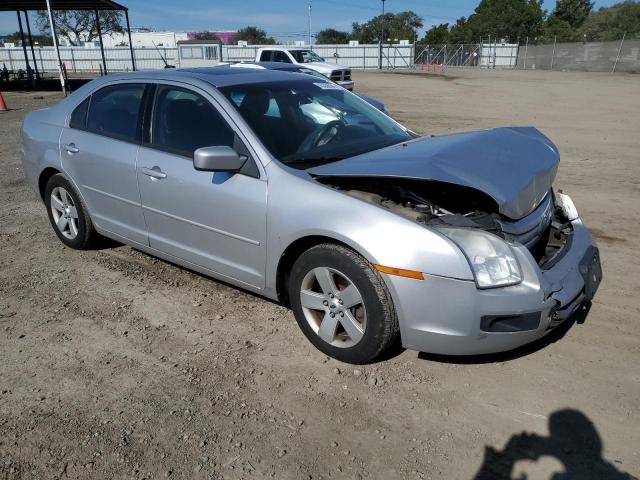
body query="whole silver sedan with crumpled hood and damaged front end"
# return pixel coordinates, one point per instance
(298, 190)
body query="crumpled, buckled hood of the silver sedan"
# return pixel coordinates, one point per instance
(515, 166)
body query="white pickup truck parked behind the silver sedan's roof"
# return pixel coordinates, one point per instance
(310, 59)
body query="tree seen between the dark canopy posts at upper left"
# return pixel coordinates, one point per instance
(80, 25)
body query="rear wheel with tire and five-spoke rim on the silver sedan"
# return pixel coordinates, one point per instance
(68, 214)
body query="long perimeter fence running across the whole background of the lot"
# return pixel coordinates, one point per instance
(616, 56)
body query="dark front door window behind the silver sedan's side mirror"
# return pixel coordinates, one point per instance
(185, 121)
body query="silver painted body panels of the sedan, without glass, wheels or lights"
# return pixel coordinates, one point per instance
(237, 228)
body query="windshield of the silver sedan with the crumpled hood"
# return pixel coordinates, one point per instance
(306, 123)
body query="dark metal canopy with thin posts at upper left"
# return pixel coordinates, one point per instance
(25, 6)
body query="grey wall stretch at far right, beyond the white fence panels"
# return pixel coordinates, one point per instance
(618, 56)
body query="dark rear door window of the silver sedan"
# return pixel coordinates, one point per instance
(114, 111)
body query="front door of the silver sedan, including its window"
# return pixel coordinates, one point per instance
(213, 220)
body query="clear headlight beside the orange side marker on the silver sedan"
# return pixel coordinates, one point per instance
(492, 260)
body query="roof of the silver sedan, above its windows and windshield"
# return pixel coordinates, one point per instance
(220, 76)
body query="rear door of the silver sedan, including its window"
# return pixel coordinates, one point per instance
(98, 152)
